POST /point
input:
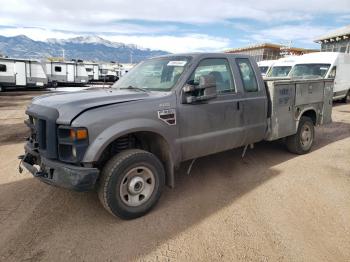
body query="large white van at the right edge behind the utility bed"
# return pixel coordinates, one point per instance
(331, 65)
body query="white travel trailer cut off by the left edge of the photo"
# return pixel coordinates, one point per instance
(16, 73)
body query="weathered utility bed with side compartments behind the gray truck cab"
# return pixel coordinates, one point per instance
(288, 99)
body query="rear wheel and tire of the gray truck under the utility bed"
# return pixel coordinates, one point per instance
(302, 141)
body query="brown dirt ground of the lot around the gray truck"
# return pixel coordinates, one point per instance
(269, 206)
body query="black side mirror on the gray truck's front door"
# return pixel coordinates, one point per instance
(206, 90)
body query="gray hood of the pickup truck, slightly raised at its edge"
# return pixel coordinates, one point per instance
(70, 105)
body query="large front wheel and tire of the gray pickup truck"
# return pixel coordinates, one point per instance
(131, 183)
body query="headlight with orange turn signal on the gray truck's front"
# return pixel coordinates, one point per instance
(72, 143)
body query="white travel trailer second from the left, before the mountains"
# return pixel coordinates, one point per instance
(66, 73)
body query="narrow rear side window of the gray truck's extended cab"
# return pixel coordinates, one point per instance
(247, 74)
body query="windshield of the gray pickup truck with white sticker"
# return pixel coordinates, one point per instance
(159, 74)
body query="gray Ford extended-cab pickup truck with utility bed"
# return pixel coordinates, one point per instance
(126, 141)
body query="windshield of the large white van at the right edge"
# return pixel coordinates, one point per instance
(310, 70)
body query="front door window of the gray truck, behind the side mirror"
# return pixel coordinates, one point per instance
(219, 68)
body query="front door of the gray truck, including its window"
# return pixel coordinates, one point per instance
(215, 125)
